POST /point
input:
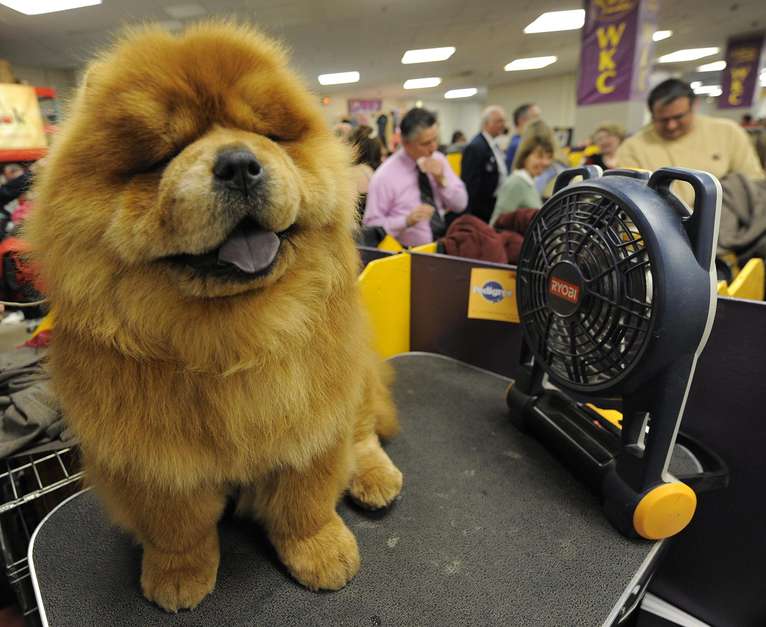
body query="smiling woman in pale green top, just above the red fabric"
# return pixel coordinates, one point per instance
(533, 157)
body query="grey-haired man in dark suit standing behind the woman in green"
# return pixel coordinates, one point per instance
(483, 167)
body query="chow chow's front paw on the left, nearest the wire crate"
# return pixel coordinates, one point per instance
(177, 581)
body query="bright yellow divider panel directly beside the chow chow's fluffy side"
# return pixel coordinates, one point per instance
(385, 288)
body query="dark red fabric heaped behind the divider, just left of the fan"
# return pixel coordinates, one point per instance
(469, 236)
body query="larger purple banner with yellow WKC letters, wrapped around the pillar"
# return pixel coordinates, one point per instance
(616, 50)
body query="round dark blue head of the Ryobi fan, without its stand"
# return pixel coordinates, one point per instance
(609, 288)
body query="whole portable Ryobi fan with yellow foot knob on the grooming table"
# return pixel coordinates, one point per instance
(616, 292)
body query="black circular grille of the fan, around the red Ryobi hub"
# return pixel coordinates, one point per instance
(602, 342)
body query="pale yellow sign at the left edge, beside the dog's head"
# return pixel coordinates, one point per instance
(21, 124)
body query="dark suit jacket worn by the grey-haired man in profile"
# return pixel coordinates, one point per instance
(479, 171)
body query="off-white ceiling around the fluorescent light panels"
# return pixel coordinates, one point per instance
(370, 36)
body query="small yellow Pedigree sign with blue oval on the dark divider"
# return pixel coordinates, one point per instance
(493, 295)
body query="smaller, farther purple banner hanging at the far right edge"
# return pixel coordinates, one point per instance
(740, 78)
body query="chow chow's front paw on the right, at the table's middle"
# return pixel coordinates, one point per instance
(325, 561)
